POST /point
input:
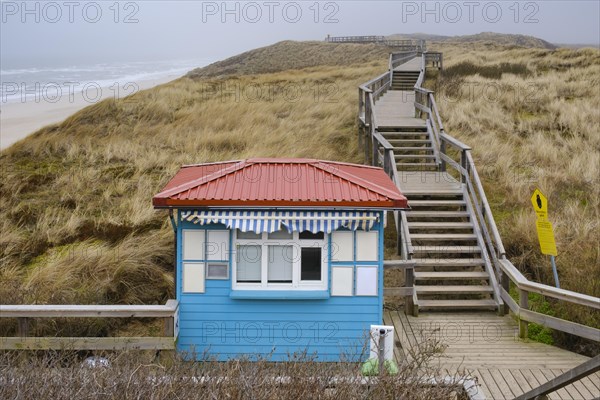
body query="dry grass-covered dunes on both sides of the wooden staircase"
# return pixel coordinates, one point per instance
(75, 198)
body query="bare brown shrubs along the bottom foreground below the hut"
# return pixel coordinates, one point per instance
(128, 375)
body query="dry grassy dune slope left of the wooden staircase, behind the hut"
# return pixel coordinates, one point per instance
(76, 214)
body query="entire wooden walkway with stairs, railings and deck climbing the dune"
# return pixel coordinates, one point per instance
(457, 253)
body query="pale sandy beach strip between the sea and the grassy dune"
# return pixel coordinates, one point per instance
(18, 119)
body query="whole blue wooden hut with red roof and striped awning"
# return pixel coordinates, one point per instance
(278, 257)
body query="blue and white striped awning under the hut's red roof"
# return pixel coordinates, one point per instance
(271, 221)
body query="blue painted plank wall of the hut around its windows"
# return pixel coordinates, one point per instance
(212, 324)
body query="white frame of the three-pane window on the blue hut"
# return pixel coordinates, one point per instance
(297, 244)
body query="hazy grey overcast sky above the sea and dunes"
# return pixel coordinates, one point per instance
(67, 32)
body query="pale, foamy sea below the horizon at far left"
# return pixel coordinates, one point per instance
(22, 83)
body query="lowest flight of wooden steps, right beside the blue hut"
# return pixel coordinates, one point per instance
(450, 268)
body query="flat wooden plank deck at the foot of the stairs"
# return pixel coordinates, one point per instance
(487, 347)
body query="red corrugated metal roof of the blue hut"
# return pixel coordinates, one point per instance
(274, 182)
